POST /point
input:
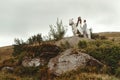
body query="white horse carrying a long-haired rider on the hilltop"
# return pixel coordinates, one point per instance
(75, 29)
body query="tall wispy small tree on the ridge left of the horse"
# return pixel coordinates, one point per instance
(57, 32)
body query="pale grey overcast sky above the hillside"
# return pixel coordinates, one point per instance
(24, 18)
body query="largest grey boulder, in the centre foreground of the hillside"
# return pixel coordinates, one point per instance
(70, 60)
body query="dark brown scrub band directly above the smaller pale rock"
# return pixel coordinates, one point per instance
(45, 49)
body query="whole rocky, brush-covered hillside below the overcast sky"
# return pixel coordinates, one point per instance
(102, 66)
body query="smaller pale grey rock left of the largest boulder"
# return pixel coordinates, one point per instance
(32, 62)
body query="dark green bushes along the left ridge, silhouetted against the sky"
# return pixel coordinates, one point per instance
(20, 45)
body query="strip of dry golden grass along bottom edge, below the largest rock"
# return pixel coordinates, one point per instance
(87, 76)
